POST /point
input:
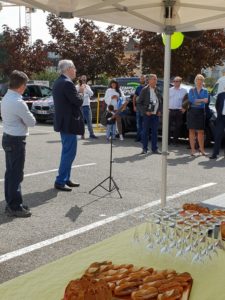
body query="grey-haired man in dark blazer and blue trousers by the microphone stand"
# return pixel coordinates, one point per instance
(67, 120)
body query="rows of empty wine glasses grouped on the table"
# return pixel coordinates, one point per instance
(182, 233)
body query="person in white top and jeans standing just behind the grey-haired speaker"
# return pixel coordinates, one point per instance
(86, 107)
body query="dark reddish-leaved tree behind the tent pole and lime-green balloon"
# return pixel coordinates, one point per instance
(189, 59)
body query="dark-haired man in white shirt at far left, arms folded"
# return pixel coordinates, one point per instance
(16, 119)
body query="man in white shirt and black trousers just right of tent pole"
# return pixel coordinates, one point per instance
(176, 96)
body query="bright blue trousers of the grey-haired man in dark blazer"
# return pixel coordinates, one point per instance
(69, 151)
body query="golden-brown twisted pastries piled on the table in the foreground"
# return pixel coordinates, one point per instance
(139, 283)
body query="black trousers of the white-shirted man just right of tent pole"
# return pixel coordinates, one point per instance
(175, 123)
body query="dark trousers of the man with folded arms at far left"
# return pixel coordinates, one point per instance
(14, 147)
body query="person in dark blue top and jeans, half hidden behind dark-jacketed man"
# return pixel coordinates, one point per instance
(139, 116)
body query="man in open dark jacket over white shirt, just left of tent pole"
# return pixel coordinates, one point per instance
(150, 105)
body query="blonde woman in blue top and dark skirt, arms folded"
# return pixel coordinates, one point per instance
(198, 97)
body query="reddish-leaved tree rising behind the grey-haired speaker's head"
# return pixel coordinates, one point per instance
(93, 51)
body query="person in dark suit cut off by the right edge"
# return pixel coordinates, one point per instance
(220, 124)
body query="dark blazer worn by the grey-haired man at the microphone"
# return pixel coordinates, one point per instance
(67, 104)
